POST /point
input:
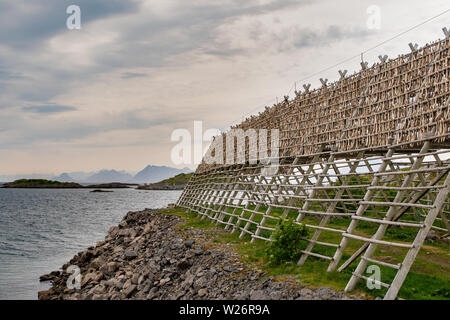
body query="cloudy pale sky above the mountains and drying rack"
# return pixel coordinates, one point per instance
(109, 95)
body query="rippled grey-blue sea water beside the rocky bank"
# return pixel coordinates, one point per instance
(41, 229)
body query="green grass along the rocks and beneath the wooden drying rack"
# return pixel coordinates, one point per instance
(428, 278)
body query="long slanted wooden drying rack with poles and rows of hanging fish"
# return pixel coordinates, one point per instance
(382, 132)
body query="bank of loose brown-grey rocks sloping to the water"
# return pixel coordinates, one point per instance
(147, 257)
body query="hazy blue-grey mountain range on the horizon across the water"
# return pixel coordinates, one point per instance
(149, 174)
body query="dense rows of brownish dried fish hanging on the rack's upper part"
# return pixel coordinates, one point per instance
(404, 98)
